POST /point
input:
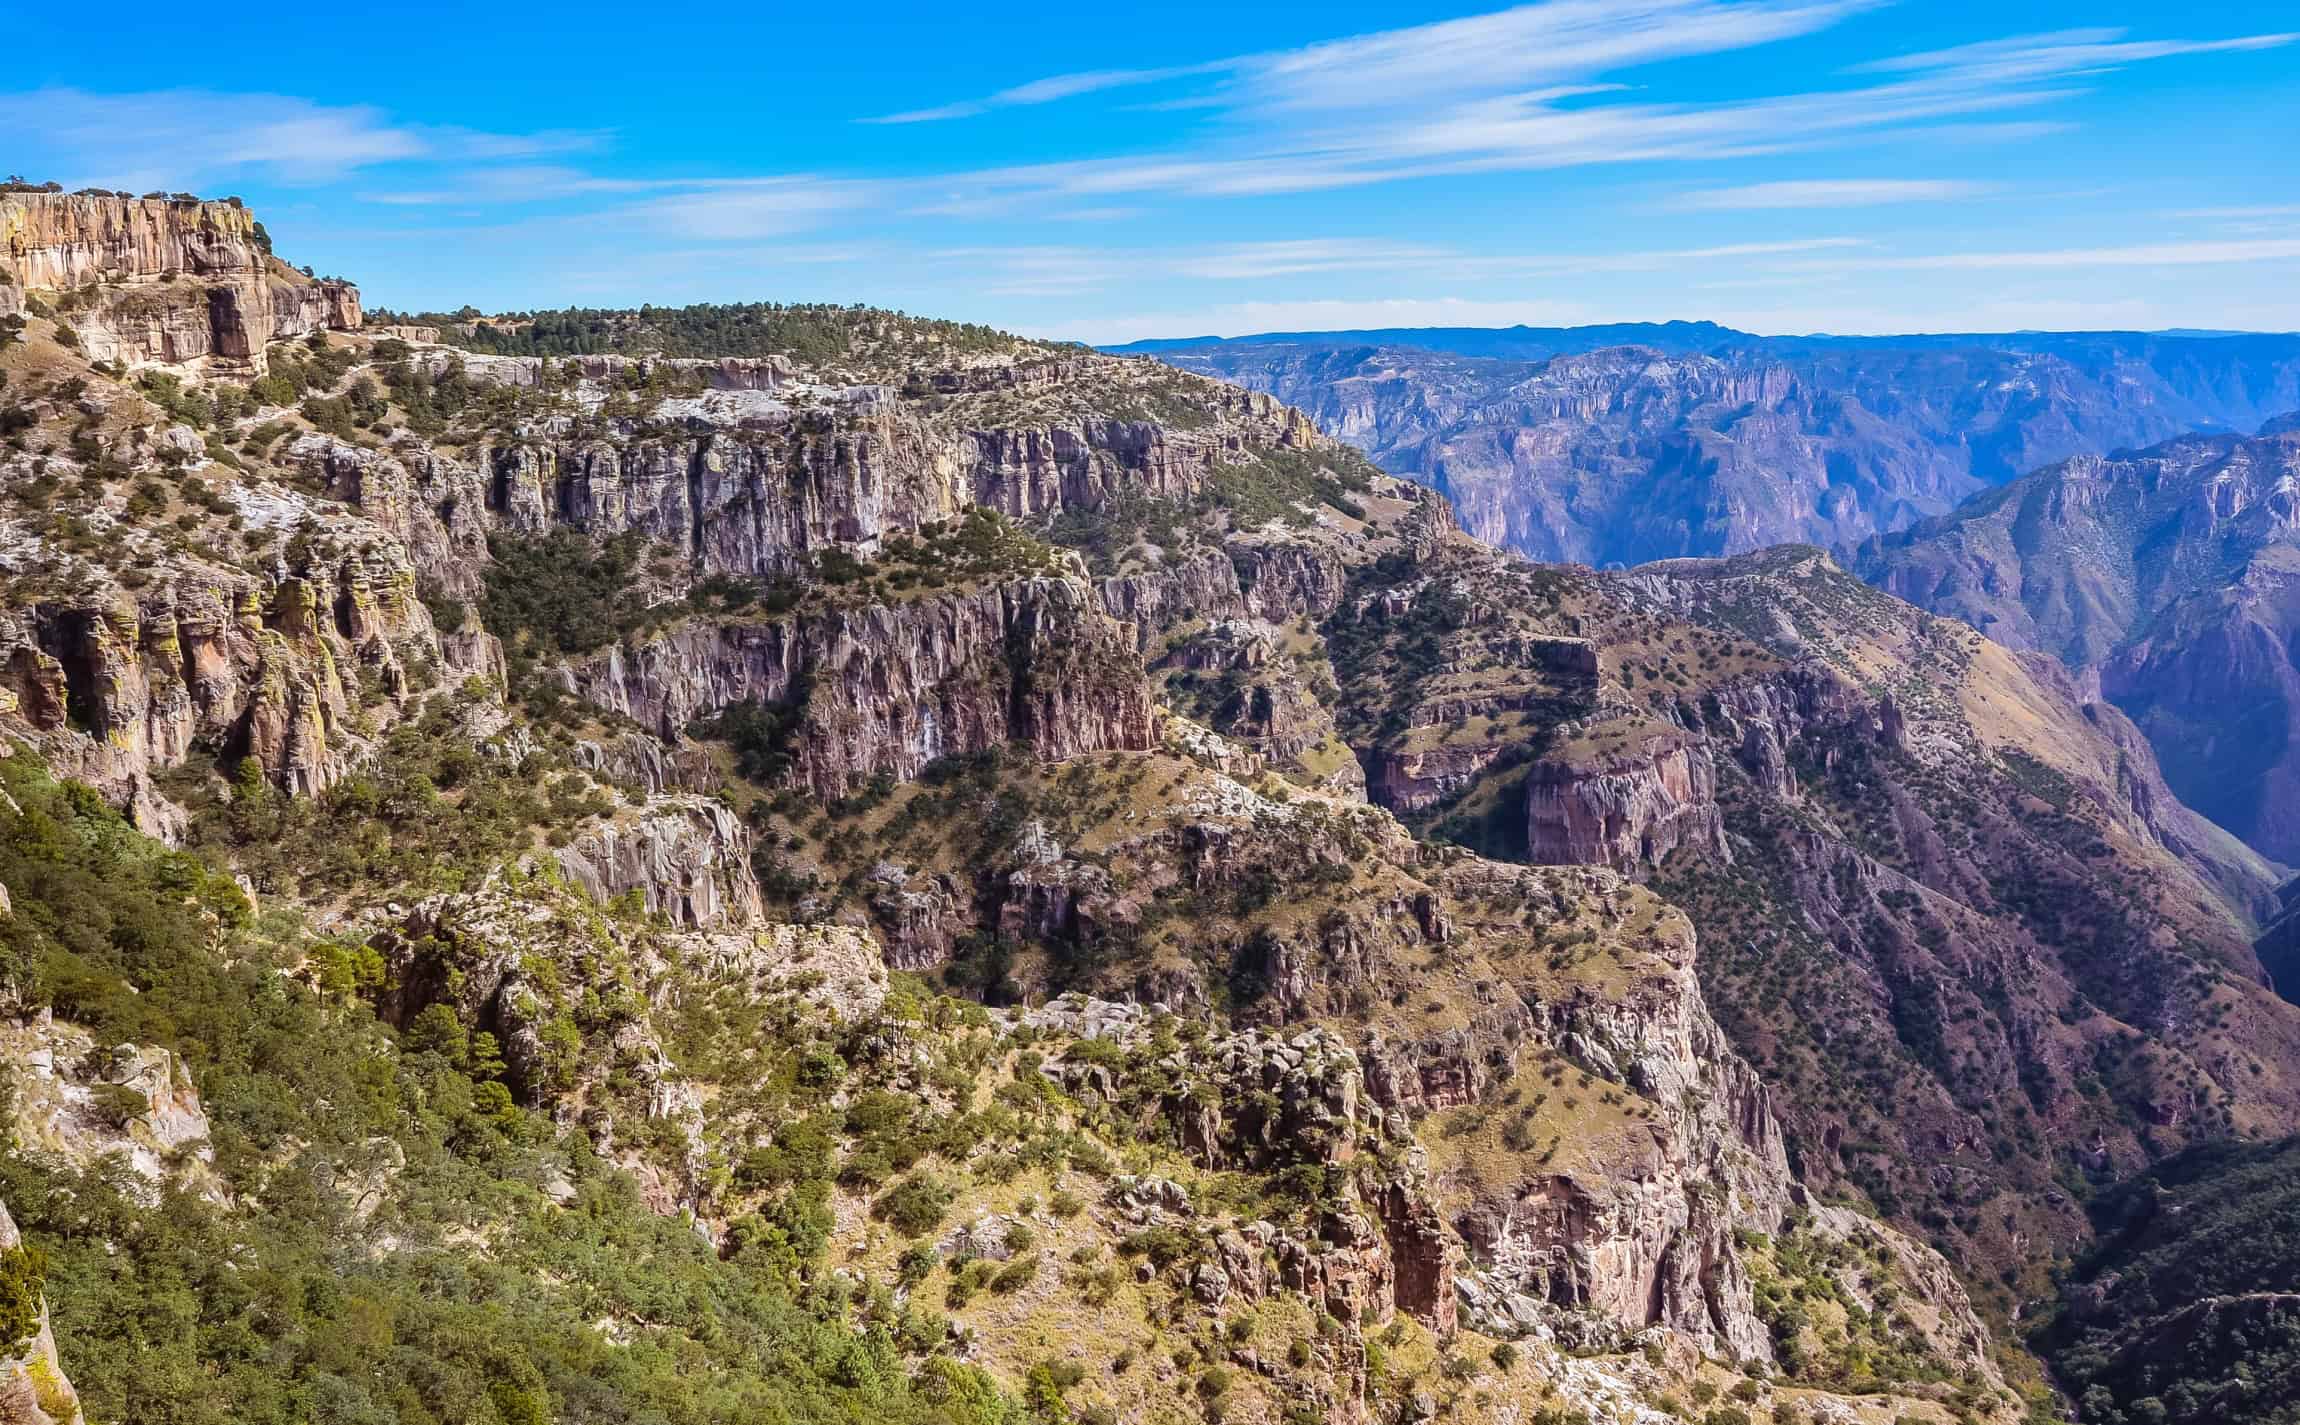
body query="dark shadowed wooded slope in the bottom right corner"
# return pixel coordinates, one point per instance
(2186, 1311)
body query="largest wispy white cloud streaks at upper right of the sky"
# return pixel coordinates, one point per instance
(1528, 91)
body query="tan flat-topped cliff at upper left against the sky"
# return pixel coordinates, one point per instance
(176, 282)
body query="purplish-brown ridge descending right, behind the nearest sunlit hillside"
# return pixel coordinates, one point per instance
(1949, 907)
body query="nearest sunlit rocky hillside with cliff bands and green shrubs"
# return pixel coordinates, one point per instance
(539, 888)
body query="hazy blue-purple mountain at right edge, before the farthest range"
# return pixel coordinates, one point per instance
(2168, 576)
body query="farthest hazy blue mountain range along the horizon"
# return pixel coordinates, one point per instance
(1623, 445)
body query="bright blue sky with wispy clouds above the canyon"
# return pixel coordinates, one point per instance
(1218, 169)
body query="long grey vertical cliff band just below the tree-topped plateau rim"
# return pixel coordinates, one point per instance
(760, 472)
